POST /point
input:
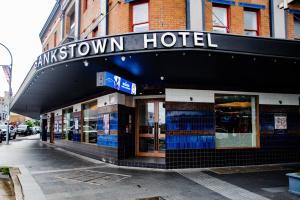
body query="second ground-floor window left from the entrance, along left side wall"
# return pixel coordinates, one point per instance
(68, 124)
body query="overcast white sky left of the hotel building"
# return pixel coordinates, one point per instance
(20, 24)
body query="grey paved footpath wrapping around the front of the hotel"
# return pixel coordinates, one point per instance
(61, 175)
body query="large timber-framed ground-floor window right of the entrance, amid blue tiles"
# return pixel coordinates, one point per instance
(236, 121)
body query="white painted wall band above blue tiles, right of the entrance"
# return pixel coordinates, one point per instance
(207, 96)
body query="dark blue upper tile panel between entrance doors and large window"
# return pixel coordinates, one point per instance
(189, 120)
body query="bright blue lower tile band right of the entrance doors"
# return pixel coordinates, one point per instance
(190, 142)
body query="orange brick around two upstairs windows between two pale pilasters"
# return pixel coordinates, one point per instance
(236, 19)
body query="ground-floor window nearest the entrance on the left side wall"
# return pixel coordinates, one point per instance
(90, 122)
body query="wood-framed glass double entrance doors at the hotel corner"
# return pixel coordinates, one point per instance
(151, 128)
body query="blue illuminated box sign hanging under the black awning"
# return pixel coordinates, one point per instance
(113, 81)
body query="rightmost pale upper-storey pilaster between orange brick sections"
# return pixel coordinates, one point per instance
(279, 20)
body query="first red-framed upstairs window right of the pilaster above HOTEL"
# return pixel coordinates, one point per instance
(220, 19)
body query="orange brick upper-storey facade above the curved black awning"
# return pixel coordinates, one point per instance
(163, 15)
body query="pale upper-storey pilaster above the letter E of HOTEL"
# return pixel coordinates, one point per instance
(196, 15)
